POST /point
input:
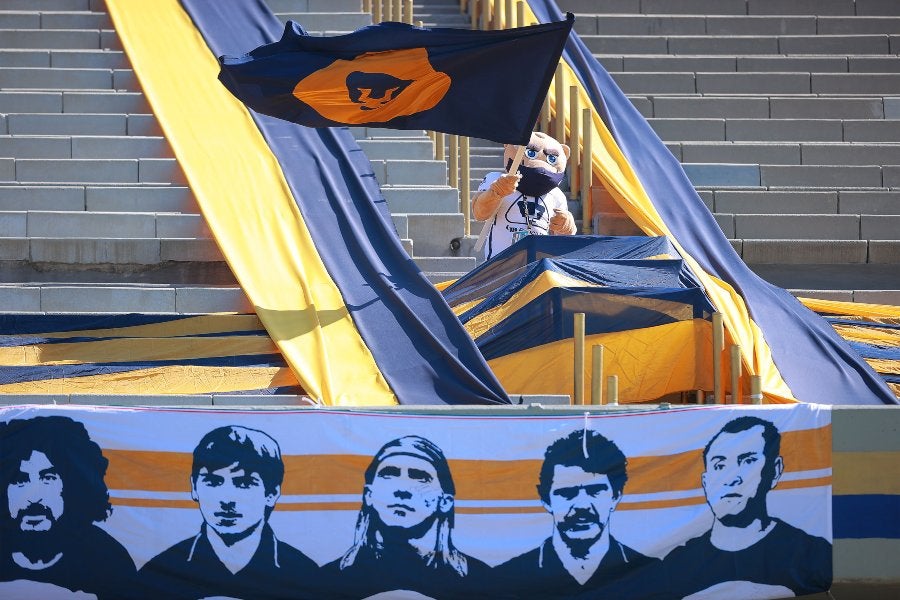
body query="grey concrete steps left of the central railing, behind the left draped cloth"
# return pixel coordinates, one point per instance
(95, 213)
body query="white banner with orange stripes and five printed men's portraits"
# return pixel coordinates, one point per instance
(702, 502)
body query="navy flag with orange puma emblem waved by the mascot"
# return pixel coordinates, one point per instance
(485, 84)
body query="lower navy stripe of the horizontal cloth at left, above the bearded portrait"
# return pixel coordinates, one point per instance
(47, 372)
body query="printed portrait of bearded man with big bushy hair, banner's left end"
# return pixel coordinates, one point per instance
(54, 490)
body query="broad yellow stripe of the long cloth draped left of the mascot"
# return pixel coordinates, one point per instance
(246, 201)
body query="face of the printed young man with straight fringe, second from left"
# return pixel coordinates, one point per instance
(232, 501)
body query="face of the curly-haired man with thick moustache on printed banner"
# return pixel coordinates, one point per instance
(580, 502)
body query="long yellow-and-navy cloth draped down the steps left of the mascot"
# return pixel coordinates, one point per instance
(300, 219)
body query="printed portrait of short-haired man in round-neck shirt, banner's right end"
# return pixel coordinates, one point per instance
(747, 553)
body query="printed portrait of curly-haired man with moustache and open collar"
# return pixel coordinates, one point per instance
(581, 482)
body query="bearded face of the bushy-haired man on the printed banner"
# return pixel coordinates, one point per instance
(35, 494)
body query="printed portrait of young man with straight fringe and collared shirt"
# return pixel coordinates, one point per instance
(236, 480)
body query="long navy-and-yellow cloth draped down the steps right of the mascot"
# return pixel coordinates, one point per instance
(798, 355)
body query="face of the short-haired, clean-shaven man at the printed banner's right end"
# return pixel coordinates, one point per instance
(733, 480)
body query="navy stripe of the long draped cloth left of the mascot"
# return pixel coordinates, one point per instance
(421, 348)
